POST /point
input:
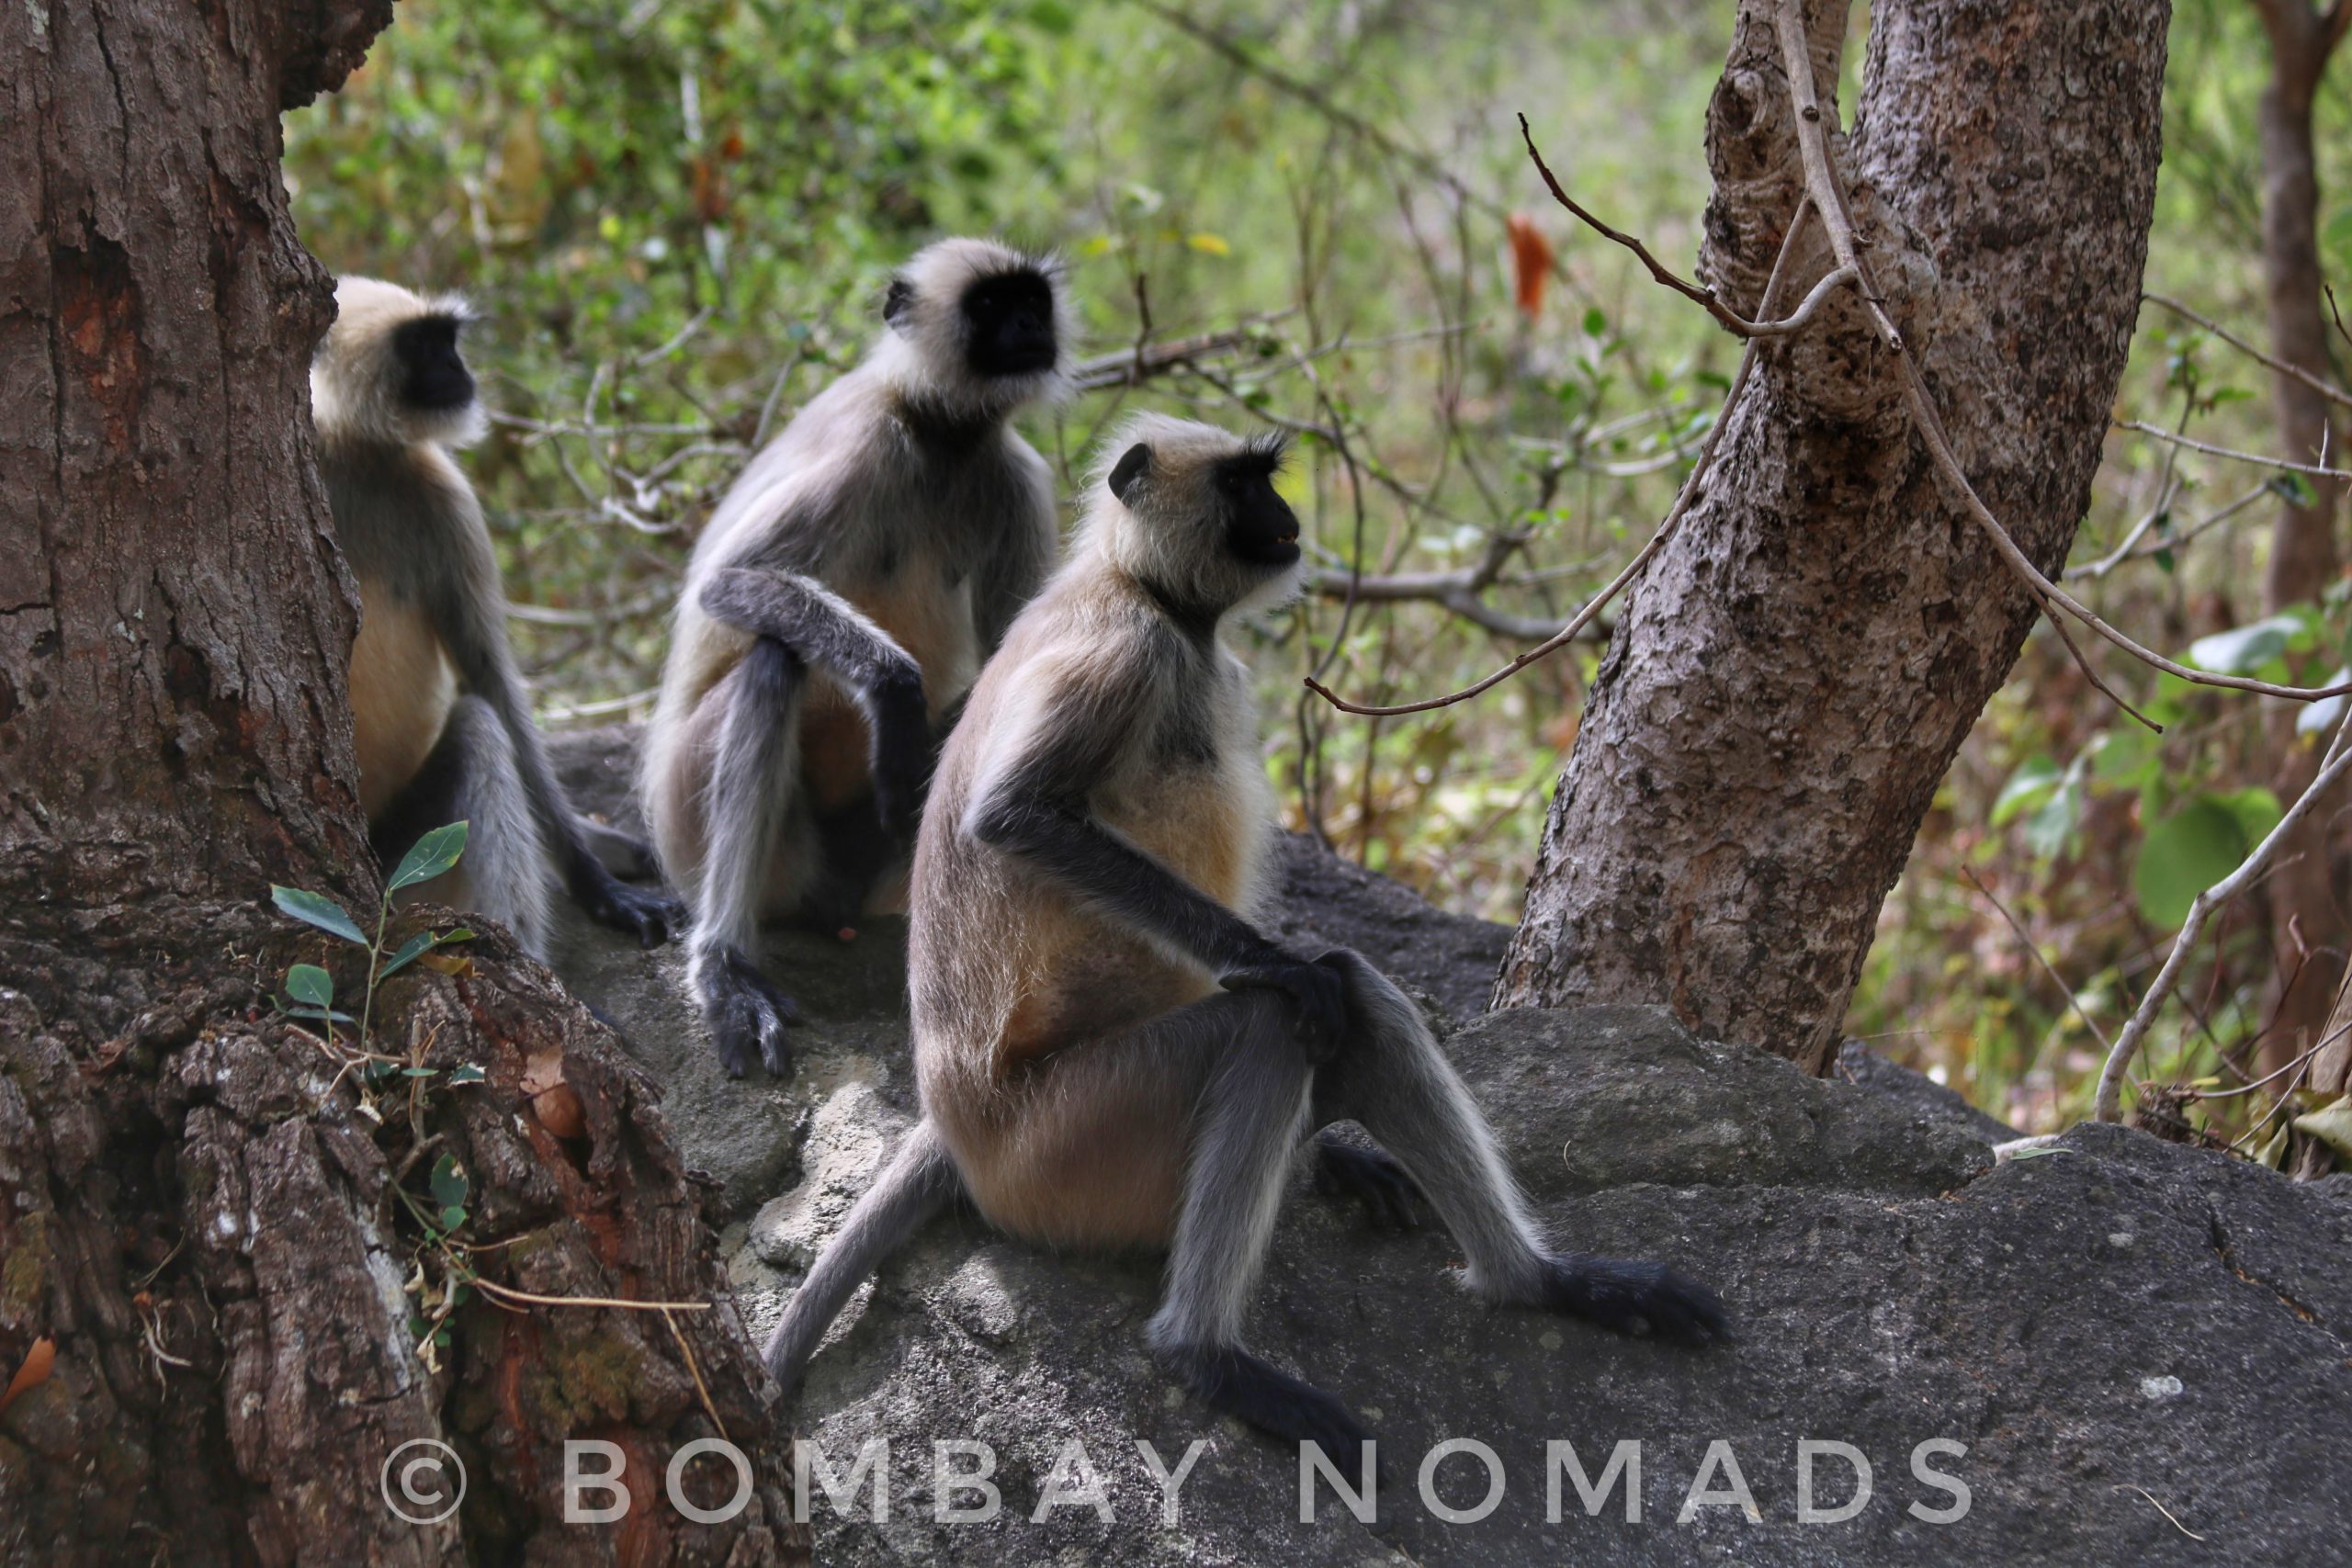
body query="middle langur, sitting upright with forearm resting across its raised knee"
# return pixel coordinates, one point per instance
(838, 608)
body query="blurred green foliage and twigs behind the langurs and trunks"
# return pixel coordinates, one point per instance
(679, 217)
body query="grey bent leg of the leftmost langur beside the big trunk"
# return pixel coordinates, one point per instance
(472, 777)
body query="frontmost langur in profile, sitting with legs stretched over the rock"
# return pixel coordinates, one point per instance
(1107, 1050)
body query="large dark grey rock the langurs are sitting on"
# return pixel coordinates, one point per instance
(2109, 1327)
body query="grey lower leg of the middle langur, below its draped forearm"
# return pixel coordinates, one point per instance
(751, 786)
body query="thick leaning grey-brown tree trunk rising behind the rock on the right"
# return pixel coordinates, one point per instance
(1800, 664)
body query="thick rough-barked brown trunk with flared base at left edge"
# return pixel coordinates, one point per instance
(201, 1240)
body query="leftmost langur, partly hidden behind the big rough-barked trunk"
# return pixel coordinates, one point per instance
(441, 721)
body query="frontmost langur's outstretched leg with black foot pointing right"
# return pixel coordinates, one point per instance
(1401, 1087)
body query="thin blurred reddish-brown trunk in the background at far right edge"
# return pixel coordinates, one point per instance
(2306, 923)
